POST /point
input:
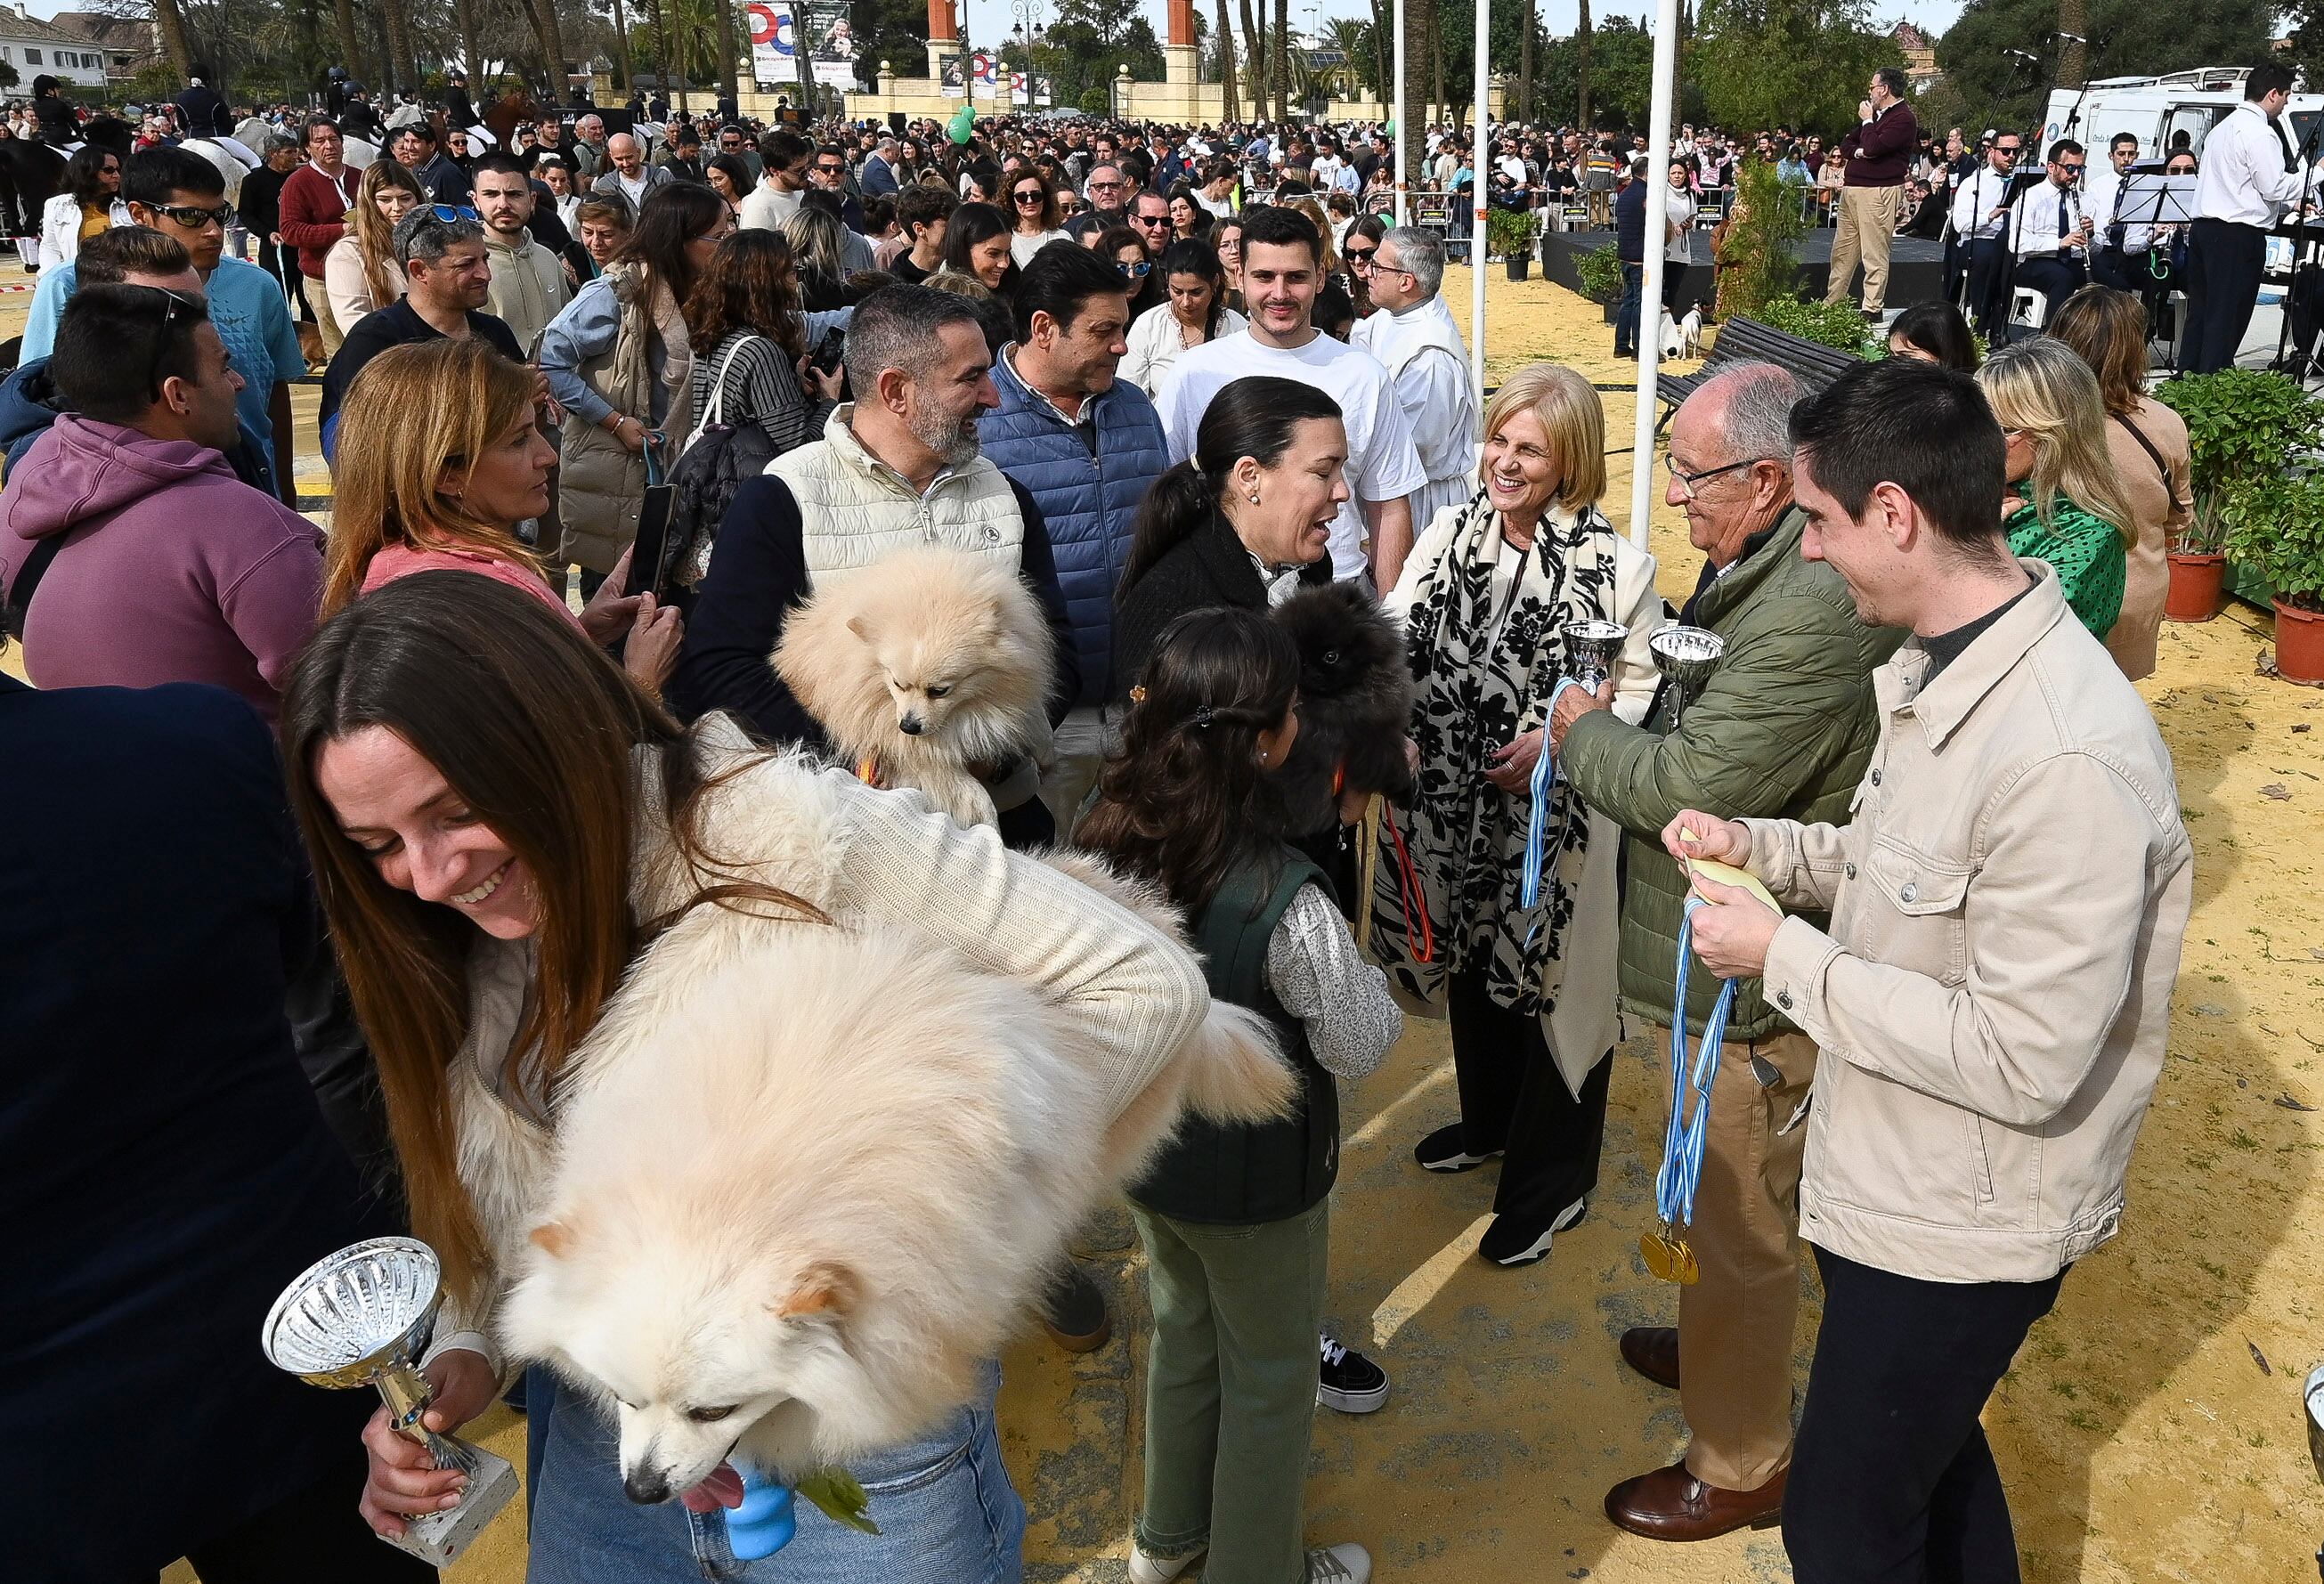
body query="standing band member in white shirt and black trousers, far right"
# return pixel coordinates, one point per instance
(2251, 173)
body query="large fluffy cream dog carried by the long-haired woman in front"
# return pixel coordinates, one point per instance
(784, 1227)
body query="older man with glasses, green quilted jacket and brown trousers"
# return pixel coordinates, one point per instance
(1784, 728)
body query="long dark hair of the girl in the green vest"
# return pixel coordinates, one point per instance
(1186, 800)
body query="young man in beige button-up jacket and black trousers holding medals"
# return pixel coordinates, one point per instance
(1995, 988)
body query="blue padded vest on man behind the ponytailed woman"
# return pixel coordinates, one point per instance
(1091, 503)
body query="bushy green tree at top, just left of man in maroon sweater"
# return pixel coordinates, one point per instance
(1786, 62)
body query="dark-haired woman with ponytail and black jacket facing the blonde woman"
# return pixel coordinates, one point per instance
(1240, 524)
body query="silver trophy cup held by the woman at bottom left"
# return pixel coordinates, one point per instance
(361, 1318)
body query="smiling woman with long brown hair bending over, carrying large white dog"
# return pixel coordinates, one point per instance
(498, 823)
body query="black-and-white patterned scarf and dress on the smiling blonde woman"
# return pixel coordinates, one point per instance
(1479, 691)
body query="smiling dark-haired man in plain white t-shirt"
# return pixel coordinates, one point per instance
(1282, 275)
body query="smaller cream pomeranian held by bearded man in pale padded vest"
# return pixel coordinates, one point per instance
(924, 668)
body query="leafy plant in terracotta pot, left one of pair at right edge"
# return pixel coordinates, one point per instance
(2241, 426)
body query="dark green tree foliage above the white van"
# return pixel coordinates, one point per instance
(2128, 38)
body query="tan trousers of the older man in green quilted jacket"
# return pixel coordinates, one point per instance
(1735, 1325)
